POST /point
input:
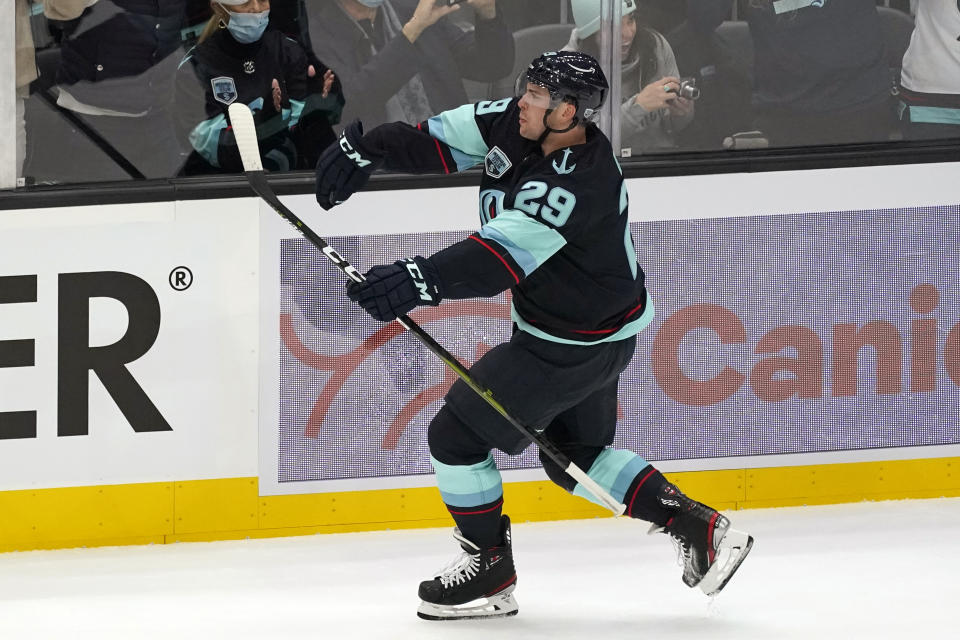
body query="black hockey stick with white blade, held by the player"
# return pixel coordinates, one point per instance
(245, 132)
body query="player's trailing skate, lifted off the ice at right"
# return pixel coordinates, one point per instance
(711, 551)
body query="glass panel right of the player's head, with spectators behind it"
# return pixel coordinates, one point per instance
(790, 73)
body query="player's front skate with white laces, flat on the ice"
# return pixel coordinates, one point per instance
(478, 584)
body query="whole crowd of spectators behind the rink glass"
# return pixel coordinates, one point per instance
(120, 89)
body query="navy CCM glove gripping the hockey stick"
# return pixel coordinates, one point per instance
(393, 290)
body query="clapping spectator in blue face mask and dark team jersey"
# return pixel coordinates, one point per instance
(294, 103)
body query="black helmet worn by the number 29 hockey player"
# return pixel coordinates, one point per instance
(569, 75)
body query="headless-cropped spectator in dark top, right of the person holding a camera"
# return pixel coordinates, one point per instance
(820, 73)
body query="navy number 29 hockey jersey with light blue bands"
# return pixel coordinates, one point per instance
(554, 229)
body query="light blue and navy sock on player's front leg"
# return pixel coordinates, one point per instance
(474, 497)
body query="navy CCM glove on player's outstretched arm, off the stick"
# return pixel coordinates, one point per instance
(344, 167)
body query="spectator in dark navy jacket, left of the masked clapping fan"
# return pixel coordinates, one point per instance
(116, 71)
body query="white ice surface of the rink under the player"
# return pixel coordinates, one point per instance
(866, 570)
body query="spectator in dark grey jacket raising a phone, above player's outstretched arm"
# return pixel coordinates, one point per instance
(402, 60)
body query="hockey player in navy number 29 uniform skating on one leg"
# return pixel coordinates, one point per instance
(553, 210)
